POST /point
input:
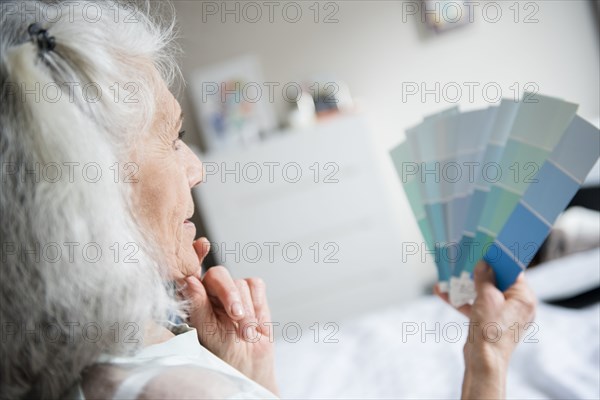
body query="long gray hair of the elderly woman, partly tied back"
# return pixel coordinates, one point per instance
(78, 276)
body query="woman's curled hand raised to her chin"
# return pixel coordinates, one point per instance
(232, 318)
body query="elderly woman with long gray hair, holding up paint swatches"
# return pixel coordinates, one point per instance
(99, 260)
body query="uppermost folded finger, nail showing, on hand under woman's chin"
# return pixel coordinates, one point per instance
(219, 284)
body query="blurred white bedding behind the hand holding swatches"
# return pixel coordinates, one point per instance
(371, 359)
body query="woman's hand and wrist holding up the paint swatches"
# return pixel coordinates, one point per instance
(497, 323)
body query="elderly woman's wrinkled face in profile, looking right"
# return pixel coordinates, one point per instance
(168, 169)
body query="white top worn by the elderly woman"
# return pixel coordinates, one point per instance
(184, 363)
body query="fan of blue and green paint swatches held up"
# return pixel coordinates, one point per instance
(488, 184)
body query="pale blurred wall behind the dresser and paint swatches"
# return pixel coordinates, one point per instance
(375, 52)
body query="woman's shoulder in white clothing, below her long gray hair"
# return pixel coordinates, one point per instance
(177, 368)
